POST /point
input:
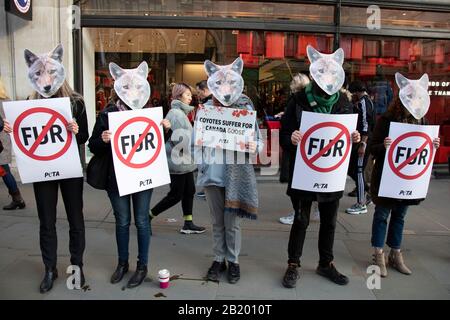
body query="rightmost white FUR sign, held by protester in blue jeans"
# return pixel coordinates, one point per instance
(408, 161)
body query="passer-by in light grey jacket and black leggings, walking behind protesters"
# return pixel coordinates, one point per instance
(181, 165)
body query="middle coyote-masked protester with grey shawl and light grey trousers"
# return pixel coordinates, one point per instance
(230, 188)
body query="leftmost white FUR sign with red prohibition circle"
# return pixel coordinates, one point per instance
(45, 150)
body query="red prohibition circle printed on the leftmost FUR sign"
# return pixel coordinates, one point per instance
(54, 115)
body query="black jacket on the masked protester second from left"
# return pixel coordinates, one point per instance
(99, 148)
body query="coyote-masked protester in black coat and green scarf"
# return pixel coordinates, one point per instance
(320, 96)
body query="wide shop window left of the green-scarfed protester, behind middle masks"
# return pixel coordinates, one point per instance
(174, 55)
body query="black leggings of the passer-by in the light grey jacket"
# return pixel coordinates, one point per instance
(182, 188)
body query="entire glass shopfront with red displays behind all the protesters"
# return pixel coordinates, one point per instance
(175, 37)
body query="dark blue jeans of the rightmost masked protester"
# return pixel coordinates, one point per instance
(395, 230)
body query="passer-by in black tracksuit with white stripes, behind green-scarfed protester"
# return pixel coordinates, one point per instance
(358, 160)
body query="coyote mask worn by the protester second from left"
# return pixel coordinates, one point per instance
(131, 85)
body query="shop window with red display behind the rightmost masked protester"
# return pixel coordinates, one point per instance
(375, 60)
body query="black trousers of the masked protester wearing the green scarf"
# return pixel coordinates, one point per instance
(328, 214)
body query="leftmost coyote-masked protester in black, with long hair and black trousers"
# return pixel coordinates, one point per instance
(47, 76)
